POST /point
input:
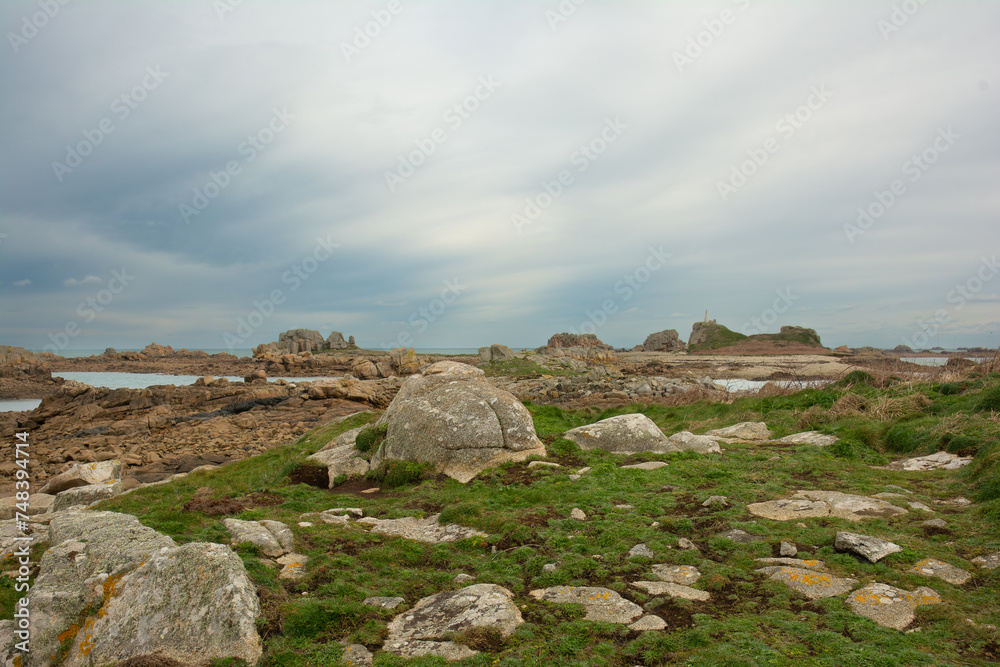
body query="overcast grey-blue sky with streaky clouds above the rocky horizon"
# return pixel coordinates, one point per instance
(207, 174)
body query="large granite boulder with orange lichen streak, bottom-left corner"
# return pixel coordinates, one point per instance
(115, 589)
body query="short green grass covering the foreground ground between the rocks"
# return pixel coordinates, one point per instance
(525, 512)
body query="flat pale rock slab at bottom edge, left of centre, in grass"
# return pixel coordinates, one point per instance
(423, 629)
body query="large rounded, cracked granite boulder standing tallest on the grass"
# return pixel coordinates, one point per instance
(451, 417)
